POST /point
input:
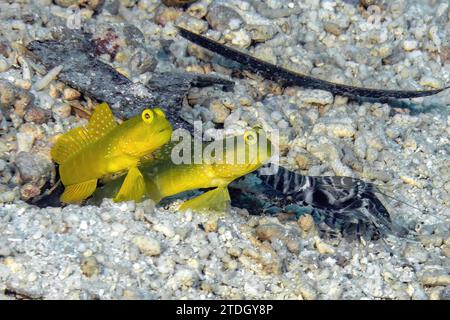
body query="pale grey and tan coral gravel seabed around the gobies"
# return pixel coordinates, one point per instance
(137, 251)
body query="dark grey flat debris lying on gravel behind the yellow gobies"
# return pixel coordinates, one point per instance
(86, 73)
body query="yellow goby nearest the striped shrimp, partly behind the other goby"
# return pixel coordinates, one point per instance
(163, 178)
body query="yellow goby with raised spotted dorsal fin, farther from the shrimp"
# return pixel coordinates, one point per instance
(86, 154)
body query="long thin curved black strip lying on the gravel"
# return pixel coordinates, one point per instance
(290, 78)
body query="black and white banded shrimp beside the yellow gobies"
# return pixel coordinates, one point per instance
(346, 204)
